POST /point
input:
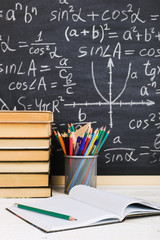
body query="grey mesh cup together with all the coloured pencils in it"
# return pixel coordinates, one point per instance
(82, 170)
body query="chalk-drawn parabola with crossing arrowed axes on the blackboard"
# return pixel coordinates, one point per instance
(110, 101)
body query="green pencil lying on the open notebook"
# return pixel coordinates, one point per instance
(45, 212)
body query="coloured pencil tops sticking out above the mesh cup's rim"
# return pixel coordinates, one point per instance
(82, 141)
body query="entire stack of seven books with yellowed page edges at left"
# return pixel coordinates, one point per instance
(25, 141)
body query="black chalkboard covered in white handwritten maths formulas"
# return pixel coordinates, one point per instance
(88, 60)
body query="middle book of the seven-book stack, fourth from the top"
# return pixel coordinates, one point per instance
(24, 155)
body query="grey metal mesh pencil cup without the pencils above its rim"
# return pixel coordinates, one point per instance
(80, 170)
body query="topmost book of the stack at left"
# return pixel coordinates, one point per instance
(26, 116)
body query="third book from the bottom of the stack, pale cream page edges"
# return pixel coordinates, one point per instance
(24, 167)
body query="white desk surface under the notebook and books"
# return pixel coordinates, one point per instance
(144, 228)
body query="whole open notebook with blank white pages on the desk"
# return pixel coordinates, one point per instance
(89, 206)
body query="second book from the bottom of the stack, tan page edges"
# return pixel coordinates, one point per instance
(24, 179)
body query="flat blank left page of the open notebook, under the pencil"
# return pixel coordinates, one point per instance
(85, 214)
